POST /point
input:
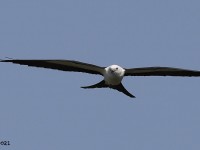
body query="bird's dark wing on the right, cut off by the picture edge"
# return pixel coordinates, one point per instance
(161, 71)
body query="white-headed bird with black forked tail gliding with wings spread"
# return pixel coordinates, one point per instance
(113, 74)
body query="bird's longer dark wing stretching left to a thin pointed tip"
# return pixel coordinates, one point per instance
(64, 65)
